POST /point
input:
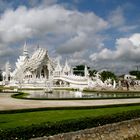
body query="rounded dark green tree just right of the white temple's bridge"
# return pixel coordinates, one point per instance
(106, 75)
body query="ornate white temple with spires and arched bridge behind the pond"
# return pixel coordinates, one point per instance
(39, 71)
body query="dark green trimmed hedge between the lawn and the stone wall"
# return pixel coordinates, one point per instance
(47, 129)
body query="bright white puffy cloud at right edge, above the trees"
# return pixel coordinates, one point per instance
(125, 54)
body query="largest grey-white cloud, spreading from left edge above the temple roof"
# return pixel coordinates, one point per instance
(68, 30)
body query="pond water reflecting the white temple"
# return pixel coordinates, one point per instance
(77, 94)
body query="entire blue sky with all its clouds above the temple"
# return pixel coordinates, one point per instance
(105, 34)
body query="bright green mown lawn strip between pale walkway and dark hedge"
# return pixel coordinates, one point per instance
(28, 118)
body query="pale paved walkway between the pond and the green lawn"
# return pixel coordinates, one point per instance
(8, 103)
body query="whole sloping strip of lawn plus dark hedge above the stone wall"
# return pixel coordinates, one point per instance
(24, 125)
